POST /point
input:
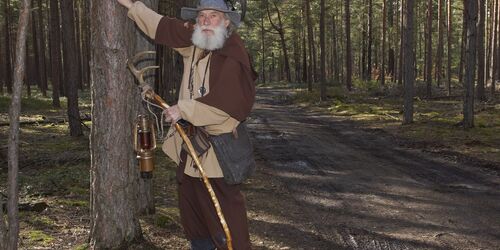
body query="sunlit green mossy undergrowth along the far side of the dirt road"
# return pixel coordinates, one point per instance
(437, 122)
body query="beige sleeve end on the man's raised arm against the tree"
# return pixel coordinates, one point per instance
(146, 19)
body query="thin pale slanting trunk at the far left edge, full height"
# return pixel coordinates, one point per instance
(13, 141)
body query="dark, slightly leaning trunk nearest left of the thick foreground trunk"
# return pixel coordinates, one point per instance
(71, 78)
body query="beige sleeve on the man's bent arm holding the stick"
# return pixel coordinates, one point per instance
(215, 120)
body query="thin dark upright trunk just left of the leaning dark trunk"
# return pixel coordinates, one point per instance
(55, 52)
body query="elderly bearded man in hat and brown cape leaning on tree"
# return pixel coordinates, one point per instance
(217, 93)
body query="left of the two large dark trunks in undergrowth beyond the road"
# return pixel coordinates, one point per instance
(409, 63)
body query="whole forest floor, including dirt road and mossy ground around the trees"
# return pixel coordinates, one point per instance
(340, 174)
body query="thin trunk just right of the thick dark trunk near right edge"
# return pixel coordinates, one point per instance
(480, 51)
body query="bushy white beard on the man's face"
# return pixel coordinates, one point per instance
(209, 42)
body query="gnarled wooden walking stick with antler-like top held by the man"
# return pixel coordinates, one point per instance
(152, 96)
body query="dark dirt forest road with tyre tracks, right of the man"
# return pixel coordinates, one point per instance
(322, 183)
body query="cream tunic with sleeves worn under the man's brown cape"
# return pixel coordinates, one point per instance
(215, 121)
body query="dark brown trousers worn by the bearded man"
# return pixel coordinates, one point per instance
(199, 217)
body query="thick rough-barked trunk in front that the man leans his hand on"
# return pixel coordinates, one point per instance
(114, 171)
